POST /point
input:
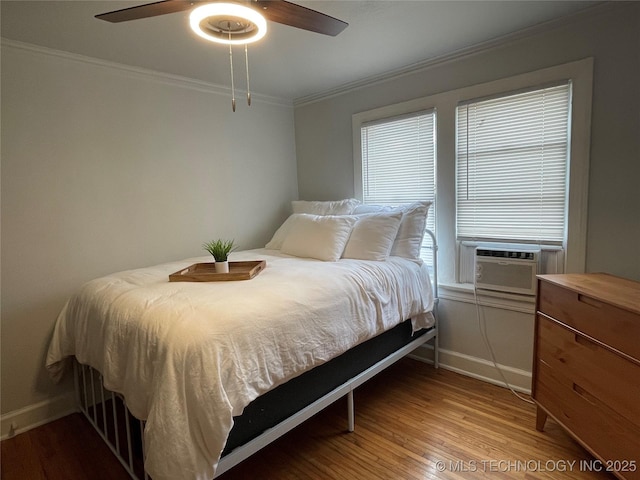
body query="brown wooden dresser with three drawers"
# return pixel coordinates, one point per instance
(586, 370)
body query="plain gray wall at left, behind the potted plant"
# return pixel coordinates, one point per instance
(106, 169)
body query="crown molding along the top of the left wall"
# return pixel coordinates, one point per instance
(142, 73)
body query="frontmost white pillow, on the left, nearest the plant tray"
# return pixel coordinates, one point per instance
(318, 236)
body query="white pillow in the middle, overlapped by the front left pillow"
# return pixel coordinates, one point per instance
(372, 236)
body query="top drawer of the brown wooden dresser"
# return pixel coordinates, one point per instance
(611, 325)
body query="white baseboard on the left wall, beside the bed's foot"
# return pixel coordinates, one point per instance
(33, 416)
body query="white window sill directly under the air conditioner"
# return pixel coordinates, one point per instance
(464, 292)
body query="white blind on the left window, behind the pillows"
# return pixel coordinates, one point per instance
(398, 162)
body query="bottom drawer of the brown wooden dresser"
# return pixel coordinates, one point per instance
(601, 430)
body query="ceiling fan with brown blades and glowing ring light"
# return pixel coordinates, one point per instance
(234, 22)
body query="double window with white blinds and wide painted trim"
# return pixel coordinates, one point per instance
(545, 164)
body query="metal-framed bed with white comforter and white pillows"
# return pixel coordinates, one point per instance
(216, 370)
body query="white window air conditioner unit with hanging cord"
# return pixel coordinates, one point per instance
(505, 270)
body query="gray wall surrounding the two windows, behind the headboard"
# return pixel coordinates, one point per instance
(611, 35)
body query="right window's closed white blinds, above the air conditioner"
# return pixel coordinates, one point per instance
(512, 156)
